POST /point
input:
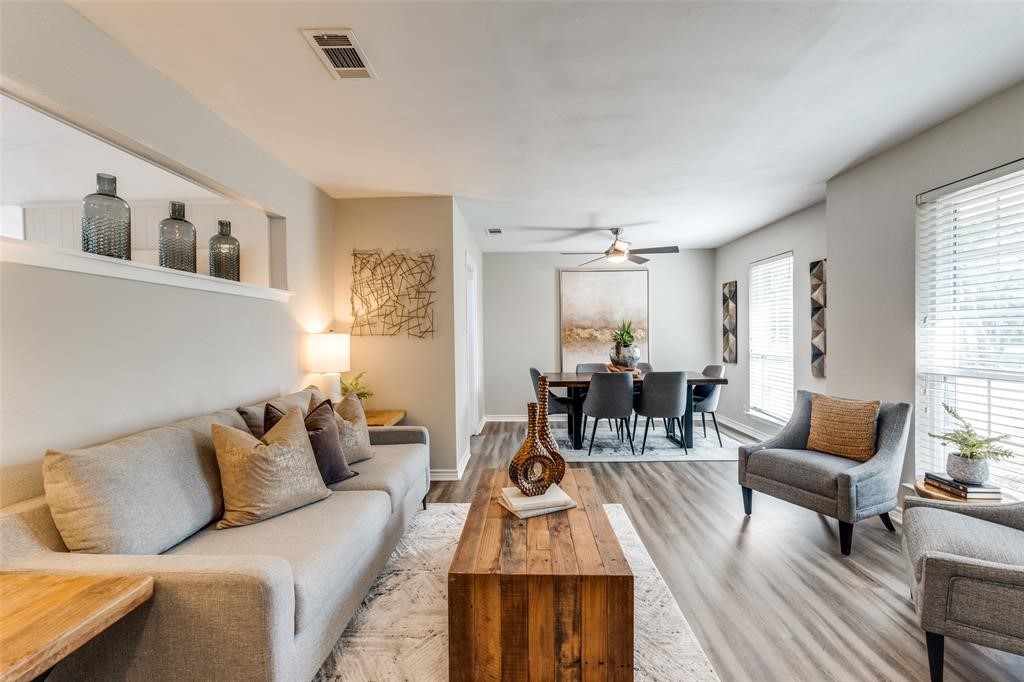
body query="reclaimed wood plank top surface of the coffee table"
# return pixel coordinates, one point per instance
(576, 542)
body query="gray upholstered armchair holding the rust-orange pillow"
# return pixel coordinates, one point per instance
(843, 489)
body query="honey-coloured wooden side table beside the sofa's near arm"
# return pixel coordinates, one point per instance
(44, 619)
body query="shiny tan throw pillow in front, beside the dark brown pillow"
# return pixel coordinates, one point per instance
(264, 479)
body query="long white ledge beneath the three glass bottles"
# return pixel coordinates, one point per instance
(39, 255)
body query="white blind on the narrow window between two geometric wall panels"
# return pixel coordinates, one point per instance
(772, 337)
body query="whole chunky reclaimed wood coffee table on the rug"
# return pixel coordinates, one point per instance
(550, 598)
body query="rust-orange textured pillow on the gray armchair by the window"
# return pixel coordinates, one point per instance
(846, 429)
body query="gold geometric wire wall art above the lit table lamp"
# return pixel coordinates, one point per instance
(393, 293)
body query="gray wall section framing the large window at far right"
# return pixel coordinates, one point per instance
(871, 223)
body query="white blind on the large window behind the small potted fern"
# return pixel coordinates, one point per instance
(971, 320)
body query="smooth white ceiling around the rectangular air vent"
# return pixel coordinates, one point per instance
(711, 119)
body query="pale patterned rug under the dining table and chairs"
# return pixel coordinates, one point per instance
(608, 447)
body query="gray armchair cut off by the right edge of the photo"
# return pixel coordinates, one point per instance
(966, 565)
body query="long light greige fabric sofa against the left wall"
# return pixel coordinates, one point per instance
(261, 603)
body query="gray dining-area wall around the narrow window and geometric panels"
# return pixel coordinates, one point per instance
(804, 234)
